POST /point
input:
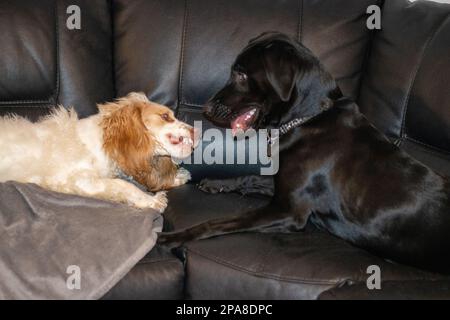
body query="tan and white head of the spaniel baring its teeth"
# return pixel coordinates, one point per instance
(134, 129)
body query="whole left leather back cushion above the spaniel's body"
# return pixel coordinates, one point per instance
(43, 63)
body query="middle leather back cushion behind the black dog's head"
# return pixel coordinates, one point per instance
(179, 52)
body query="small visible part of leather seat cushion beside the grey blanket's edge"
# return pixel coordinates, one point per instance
(159, 275)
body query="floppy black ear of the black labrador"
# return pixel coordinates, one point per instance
(282, 68)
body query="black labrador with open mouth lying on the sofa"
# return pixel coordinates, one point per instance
(336, 170)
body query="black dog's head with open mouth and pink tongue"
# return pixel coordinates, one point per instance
(273, 80)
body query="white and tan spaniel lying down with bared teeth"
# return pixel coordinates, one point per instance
(131, 136)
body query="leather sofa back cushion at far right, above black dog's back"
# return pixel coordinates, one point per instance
(405, 91)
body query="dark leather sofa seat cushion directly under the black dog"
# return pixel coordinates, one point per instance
(303, 265)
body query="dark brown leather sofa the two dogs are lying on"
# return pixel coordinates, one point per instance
(178, 52)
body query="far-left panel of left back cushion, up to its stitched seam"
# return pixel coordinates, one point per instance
(28, 55)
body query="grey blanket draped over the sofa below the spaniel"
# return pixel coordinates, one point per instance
(57, 246)
